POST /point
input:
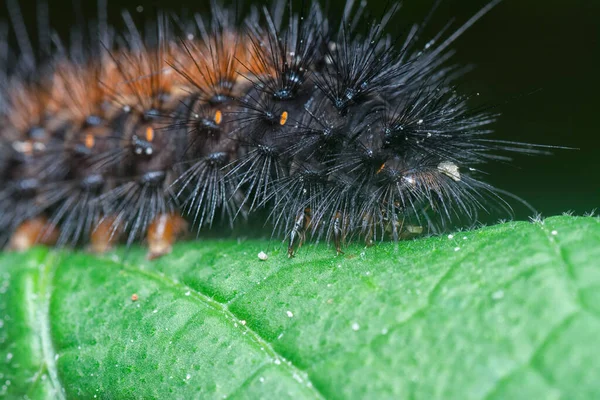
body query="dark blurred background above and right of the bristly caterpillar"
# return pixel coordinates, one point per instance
(538, 59)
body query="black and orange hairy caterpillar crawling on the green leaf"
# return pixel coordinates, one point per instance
(326, 129)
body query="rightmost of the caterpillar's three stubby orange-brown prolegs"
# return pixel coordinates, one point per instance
(162, 233)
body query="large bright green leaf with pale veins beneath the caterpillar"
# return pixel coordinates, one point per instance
(508, 311)
